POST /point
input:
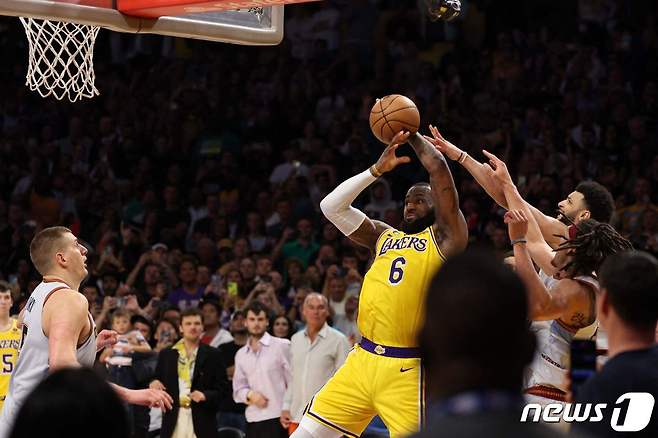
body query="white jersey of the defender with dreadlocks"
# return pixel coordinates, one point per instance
(552, 358)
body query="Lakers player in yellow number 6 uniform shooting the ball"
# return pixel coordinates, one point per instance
(383, 374)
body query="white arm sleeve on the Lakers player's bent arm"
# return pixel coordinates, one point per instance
(337, 205)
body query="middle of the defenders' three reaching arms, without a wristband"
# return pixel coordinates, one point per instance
(540, 251)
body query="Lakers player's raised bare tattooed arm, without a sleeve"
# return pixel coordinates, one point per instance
(450, 223)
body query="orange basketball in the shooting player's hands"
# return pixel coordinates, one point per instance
(392, 114)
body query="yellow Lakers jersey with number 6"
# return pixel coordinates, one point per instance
(392, 300)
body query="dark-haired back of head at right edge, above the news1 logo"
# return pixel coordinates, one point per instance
(631, 282)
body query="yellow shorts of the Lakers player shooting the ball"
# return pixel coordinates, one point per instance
(368, 385)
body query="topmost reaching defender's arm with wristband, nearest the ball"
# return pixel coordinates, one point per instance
(483, 174)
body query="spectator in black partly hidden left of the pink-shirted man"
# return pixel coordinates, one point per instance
(231, 414)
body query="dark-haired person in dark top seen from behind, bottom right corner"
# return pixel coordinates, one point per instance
(627, 308)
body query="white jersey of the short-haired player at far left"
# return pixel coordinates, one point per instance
(32, 365)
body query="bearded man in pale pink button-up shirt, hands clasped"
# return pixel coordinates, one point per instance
(262, 375)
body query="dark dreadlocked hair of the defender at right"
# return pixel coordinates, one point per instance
(590, 243)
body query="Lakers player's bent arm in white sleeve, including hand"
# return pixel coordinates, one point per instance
(337, 205)
